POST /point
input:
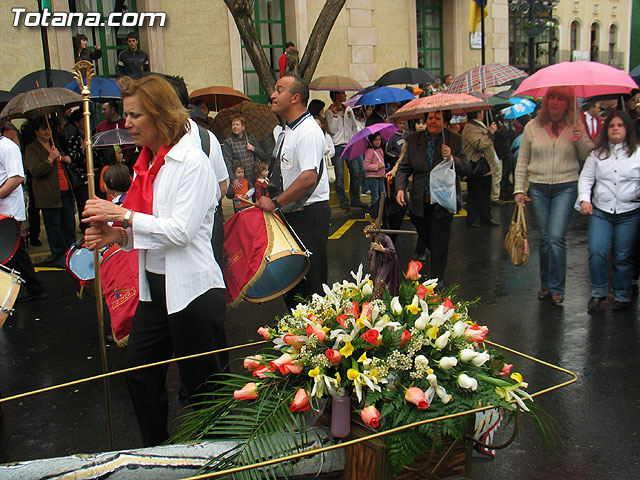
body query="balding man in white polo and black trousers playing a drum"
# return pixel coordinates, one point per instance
(304, 183)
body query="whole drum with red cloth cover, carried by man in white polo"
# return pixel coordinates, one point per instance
(263, 258)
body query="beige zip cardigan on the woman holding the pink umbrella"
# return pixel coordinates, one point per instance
(547, 160)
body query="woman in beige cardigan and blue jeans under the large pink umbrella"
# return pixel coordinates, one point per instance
(551, 149)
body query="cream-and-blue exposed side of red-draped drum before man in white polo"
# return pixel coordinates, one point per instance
(287, 262)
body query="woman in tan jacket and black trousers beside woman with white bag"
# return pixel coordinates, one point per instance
(478, 146)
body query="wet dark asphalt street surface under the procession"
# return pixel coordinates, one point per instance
(595, 421)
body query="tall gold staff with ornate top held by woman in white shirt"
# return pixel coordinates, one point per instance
(86, 92)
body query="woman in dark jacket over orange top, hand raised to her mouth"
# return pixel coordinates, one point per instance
(52, 190)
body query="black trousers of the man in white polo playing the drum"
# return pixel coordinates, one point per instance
(312, 226)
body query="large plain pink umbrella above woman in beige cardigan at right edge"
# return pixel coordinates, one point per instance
(587, 79)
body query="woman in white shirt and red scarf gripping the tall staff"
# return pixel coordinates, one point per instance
(168, 217)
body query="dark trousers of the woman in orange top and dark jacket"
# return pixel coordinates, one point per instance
(60, 224)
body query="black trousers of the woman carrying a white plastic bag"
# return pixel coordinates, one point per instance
(434, 229)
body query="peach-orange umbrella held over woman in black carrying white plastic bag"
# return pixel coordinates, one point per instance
(458, 103)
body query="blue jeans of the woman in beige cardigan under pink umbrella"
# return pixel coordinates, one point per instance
(552, 207)
